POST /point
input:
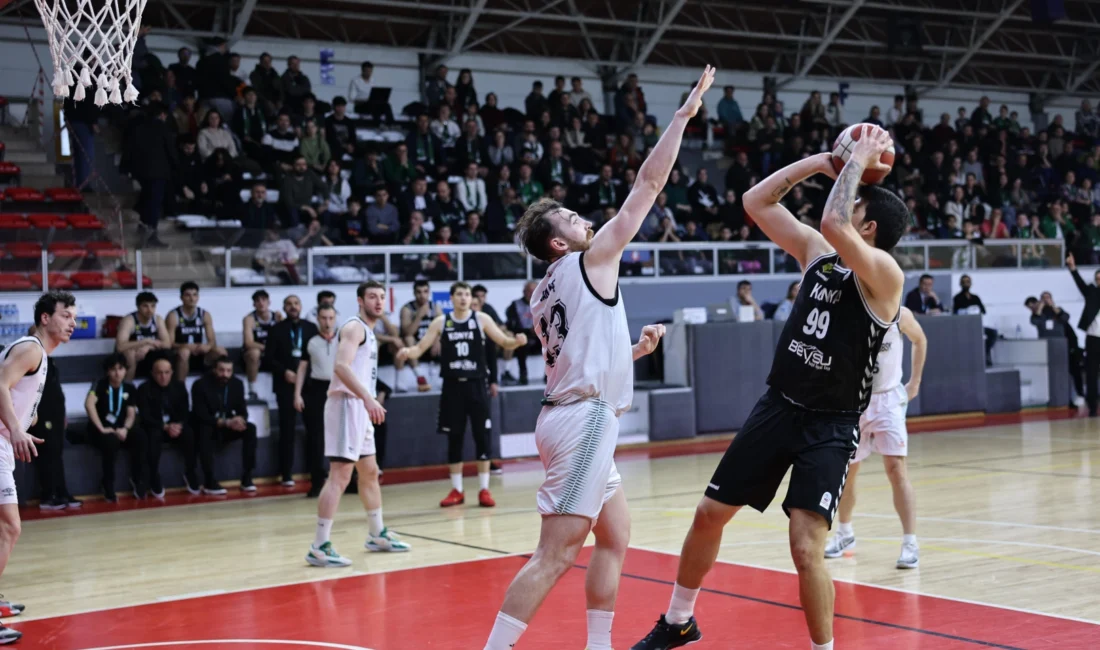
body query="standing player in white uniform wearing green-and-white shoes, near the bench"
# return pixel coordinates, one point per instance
(350, 415)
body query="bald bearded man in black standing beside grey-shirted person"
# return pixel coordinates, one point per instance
(287, 345)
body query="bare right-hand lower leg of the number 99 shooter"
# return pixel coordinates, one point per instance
(808, 534)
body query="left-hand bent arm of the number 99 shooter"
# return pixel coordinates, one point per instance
(763, 204)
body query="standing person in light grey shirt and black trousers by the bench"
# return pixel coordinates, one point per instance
(310, 394)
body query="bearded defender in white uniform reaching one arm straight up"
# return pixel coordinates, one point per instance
(580, 321)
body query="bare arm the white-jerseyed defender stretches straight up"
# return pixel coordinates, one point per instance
(609, 244)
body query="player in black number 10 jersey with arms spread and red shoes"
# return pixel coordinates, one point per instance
(466, 396)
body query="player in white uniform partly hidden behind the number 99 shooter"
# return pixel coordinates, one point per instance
(883, 431)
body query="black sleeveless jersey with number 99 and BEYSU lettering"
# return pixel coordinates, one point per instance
(826, 358)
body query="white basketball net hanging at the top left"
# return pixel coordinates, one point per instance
(93, 40)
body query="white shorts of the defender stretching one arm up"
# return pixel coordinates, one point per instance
(577, 444)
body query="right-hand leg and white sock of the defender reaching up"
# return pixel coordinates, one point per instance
(606, 568)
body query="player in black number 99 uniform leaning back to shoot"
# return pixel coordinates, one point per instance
(820, 383)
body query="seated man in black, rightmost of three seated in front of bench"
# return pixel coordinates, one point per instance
(221, 416)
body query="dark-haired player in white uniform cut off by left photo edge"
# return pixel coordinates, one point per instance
(23, 379)
